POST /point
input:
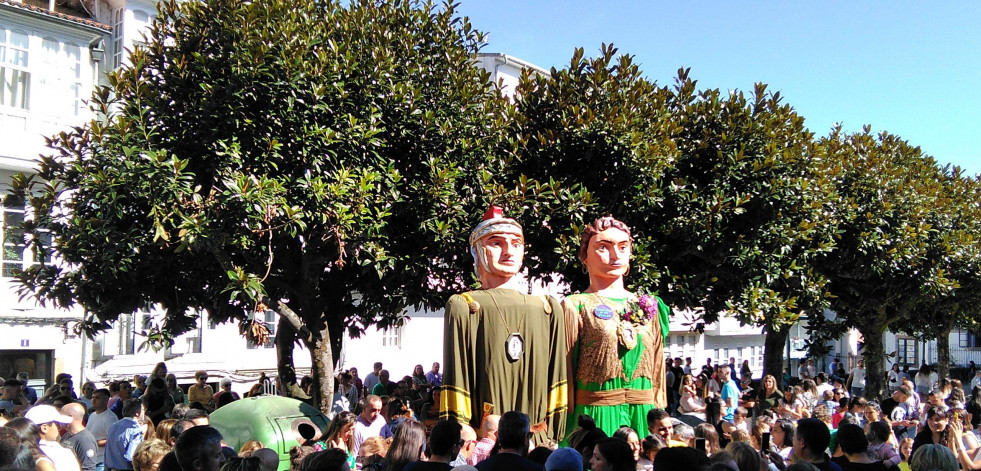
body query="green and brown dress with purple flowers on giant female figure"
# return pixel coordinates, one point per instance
(614, 385)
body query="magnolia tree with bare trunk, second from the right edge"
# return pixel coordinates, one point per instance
(889, 195)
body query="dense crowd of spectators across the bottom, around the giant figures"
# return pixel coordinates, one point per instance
(713, 421)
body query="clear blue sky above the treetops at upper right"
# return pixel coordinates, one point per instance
(910, 68)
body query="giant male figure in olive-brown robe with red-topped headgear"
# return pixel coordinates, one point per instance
(503, 350)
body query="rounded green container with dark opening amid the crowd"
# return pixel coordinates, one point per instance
(280, 423)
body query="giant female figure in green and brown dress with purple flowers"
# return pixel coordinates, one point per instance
(615, 337)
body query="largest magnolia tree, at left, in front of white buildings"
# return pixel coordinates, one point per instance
(322, 160)
